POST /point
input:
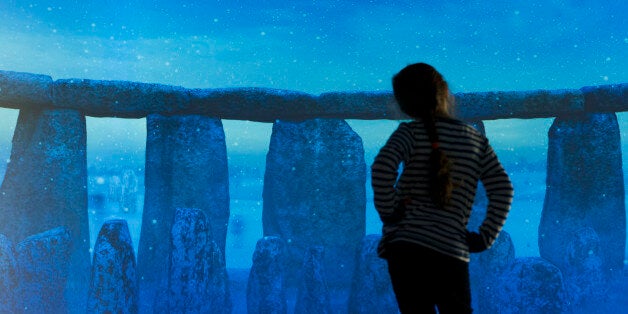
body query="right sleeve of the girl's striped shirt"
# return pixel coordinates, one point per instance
(499, 191)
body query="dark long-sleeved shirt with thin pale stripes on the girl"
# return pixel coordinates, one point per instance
(422, 222)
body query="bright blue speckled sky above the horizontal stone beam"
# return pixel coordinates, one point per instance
(319, 46)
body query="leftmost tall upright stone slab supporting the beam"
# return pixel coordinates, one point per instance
(45, 186)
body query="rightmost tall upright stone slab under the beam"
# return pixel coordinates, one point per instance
(585, 188)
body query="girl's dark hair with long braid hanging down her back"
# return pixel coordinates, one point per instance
(422, 93)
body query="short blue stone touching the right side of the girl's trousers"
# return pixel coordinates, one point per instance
(486, 269)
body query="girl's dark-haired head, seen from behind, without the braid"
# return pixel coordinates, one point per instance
(421, 91)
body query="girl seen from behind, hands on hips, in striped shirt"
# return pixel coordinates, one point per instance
(425, 211)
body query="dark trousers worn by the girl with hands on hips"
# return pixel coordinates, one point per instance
(424, 280)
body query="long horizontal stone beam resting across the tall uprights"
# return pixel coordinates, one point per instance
(136, 100)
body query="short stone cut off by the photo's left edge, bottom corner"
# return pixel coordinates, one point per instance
(9, 277)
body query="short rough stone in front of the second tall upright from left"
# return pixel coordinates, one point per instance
(198, 277)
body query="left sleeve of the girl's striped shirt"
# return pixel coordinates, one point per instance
(385, 171)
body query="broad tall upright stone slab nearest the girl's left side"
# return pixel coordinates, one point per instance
(315, 195)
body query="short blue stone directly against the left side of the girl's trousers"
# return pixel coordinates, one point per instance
(371, 290)
